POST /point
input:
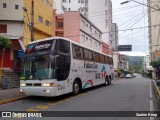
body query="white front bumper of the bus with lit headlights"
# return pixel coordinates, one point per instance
(39, 91)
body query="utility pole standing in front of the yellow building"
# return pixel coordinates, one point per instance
(32, 21)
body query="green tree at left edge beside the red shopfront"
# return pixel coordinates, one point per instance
(4, 43)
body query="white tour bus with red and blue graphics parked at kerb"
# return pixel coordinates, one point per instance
(56, 66)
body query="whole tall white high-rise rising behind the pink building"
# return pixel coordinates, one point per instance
(99, 12)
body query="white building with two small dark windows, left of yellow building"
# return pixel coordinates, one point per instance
(11, 19)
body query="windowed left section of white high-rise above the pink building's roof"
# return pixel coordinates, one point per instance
(72, 5)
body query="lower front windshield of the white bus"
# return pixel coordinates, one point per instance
(37, 67)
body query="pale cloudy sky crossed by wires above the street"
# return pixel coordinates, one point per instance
(129, 16)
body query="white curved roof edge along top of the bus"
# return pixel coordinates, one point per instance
(40, 40)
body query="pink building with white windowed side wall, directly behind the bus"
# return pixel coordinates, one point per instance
(75, 26)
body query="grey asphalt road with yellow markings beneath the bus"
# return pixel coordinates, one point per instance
(123, 95)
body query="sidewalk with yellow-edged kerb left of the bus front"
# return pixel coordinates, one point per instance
(10, 95)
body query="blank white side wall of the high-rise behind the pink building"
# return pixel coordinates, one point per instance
(100, 13)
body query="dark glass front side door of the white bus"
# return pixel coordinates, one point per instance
(62, 61)
